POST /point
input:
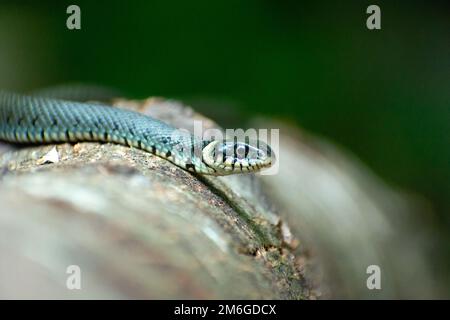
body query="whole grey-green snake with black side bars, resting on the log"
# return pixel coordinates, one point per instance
(40, 119)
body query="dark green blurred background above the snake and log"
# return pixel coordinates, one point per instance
(383, 94)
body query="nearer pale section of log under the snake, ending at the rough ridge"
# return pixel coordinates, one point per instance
(136, 226)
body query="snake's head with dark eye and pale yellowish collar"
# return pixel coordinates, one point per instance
(227, 157)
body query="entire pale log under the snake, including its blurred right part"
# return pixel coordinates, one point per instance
(139, 227)
